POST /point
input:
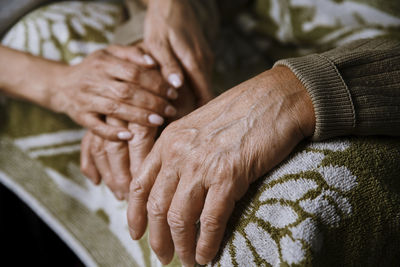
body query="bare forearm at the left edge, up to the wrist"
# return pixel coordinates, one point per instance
(27, 77)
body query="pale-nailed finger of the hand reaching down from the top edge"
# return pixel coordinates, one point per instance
(170, 68)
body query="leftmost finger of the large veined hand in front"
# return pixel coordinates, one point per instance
(139, 191)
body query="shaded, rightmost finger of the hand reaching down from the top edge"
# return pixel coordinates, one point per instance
(197, 65)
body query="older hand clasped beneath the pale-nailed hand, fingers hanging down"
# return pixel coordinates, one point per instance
(117, 162)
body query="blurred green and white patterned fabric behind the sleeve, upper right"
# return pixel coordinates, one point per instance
(309, 26)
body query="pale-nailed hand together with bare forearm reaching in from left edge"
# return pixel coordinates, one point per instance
(118, 81)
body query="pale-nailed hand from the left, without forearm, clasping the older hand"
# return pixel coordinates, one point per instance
(118, 81)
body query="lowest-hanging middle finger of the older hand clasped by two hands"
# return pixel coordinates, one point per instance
(118, 158)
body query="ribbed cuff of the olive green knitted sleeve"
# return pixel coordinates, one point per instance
(333, 106)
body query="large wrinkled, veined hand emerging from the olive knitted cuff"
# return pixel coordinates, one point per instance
(203, 163)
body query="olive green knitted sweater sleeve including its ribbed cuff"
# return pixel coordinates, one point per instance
(355, 88)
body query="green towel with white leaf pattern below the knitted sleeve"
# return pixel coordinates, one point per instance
(333, 203)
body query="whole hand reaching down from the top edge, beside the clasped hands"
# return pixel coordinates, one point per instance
(174, 37)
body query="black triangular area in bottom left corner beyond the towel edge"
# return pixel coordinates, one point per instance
(25, 240)
